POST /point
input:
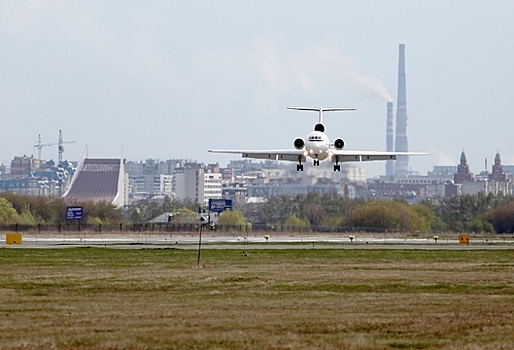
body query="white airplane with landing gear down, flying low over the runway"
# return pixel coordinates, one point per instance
(318, 147)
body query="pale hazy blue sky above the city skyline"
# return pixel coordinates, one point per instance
(172, 79)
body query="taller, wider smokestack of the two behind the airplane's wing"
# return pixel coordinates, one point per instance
(401, 142)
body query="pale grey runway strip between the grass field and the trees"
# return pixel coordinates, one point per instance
(320, 241)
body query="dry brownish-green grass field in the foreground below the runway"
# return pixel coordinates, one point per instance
(94, 298)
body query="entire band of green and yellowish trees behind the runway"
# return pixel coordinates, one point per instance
(466, 213)
